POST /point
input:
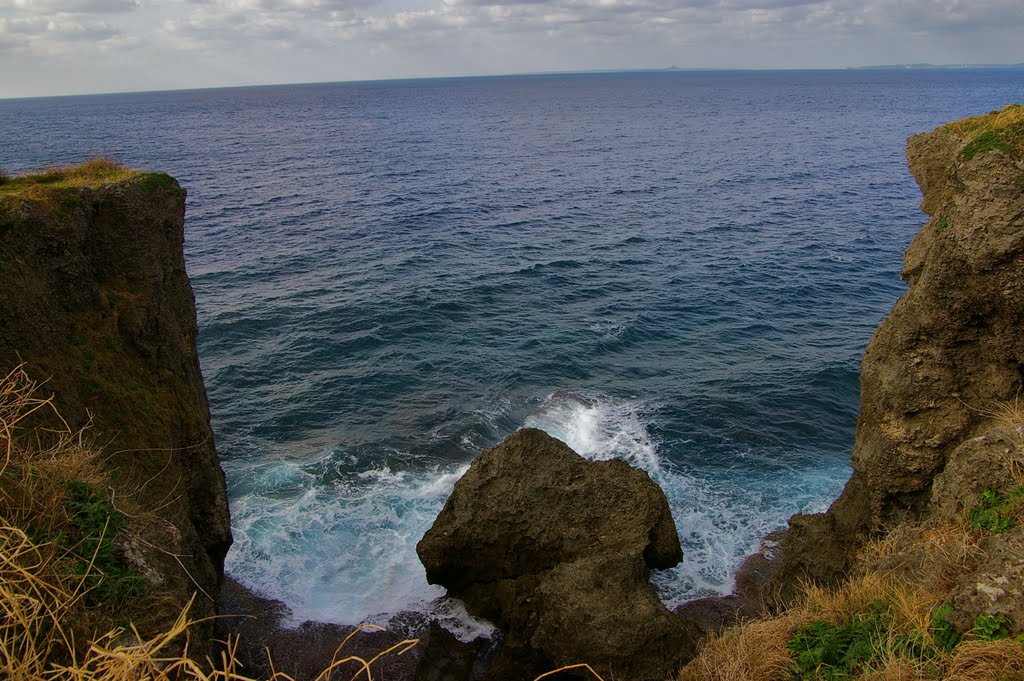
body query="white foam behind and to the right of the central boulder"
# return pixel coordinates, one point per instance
(719, 523)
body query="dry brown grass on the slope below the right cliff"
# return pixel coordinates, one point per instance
(757, 651)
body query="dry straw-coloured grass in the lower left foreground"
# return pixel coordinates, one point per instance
(48, 631)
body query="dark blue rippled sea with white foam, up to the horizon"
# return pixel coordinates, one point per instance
(680, 270)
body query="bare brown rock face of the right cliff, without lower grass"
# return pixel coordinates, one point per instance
(949, 358)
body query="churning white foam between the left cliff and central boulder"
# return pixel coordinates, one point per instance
(340, 546)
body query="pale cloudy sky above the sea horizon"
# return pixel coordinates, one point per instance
(51, 48)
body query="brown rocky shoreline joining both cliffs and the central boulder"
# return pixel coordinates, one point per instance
(554, 549)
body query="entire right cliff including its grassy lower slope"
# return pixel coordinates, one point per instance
(917, 571)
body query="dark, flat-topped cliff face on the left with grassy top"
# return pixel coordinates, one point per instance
(96, 301)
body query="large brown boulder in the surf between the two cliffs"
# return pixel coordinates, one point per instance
(557, 550)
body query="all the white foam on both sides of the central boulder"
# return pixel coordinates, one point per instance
(338, 544)
